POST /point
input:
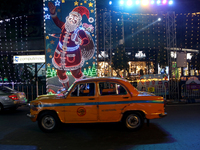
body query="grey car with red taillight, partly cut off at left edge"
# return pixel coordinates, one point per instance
(11, 99)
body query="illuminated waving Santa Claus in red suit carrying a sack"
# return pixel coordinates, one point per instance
(75, 44)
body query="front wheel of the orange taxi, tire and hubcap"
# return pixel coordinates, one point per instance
(48, 121)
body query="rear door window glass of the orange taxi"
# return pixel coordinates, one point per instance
(110, 88)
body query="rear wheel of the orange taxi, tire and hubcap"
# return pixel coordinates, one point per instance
(133, 121)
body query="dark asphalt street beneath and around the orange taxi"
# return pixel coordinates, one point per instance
(180, 130)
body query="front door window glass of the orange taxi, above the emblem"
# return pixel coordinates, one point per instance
(84, 89)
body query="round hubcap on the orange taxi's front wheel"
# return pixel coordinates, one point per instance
(48, 122)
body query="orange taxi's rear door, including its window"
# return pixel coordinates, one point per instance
(113, 97)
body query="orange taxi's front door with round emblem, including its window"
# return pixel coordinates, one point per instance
(81, 103)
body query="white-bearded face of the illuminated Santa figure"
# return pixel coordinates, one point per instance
(73, 21)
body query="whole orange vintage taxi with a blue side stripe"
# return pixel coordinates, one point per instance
(95, 100)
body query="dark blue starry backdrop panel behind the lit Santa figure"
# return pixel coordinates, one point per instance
(52, 34)
